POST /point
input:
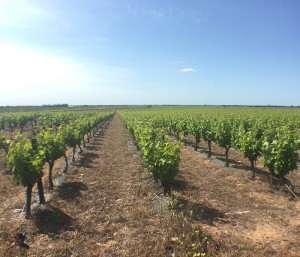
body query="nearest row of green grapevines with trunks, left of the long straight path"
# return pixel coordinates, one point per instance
(27, 156)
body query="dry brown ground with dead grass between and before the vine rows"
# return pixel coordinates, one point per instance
(107, 206)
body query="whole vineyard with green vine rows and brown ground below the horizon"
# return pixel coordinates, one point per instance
(156, 181)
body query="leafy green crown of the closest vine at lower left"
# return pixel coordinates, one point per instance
(27, 164)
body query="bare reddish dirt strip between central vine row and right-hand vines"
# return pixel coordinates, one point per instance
(245, 217)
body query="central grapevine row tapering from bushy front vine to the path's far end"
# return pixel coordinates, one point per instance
(160, 153)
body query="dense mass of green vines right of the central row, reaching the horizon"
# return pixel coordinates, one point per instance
(273, 135)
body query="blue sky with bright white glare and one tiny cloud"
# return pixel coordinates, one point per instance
(106, 52)
